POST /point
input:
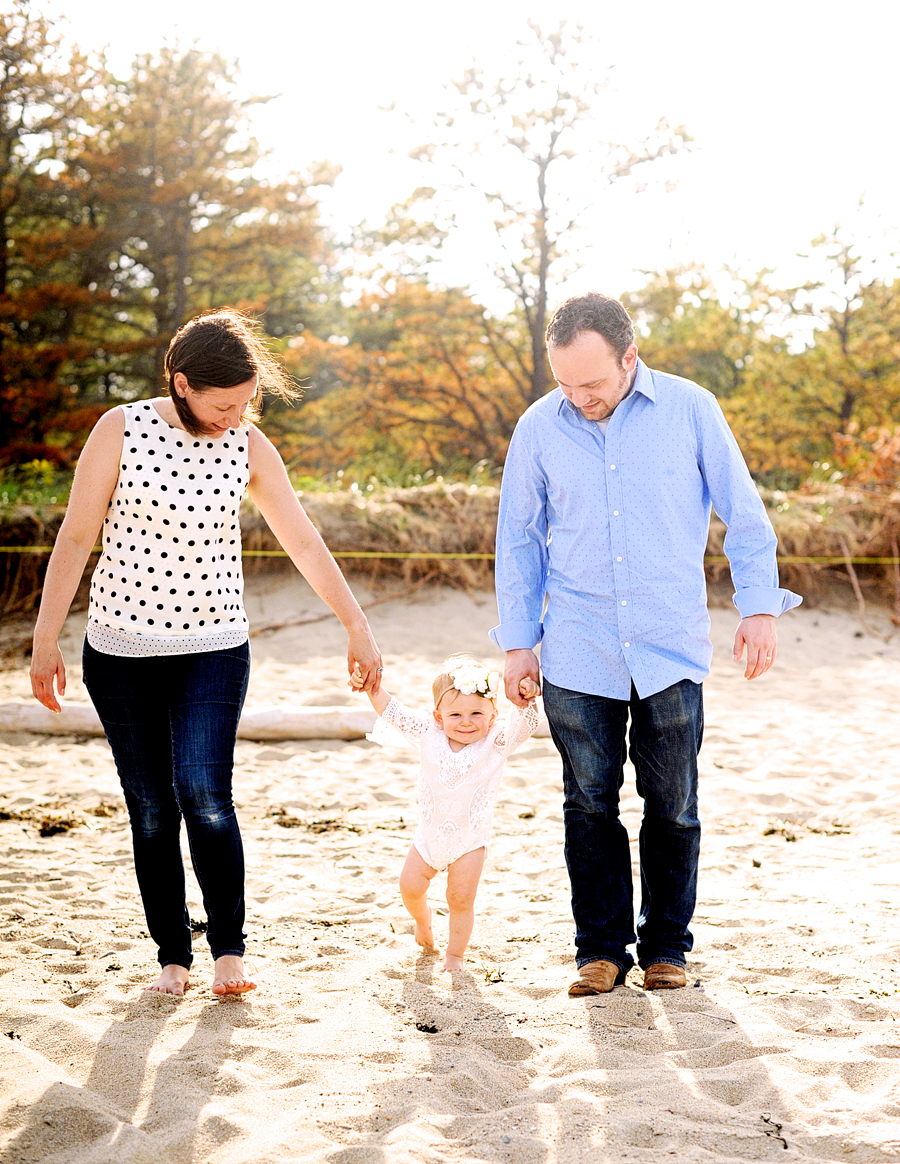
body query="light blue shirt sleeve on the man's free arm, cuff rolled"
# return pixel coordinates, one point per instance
(750, 541)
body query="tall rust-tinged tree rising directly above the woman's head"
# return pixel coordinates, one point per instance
(174, 171)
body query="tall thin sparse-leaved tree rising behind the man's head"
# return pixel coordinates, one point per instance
(544, 118)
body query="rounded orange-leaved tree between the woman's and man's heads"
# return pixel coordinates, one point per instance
(415, 387)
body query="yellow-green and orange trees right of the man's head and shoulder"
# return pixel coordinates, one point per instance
(833, 398)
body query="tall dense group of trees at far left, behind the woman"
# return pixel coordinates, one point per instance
(131, 204)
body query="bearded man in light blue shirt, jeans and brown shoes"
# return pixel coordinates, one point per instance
(605, 513)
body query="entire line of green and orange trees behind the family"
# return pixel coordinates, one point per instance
(131, 203)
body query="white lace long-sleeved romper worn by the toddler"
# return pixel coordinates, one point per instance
(457, 790)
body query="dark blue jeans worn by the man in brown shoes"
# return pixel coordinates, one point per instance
(665, 737)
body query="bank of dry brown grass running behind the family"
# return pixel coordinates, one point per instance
(831, 522)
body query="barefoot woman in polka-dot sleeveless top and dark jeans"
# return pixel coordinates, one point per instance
(167, 655)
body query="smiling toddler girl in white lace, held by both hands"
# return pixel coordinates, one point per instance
(464, 751)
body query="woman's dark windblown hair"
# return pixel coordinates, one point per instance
(222, 350)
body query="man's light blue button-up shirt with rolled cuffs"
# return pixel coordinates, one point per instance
(613, 529)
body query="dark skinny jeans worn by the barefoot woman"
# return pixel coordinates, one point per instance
(172, 722)
